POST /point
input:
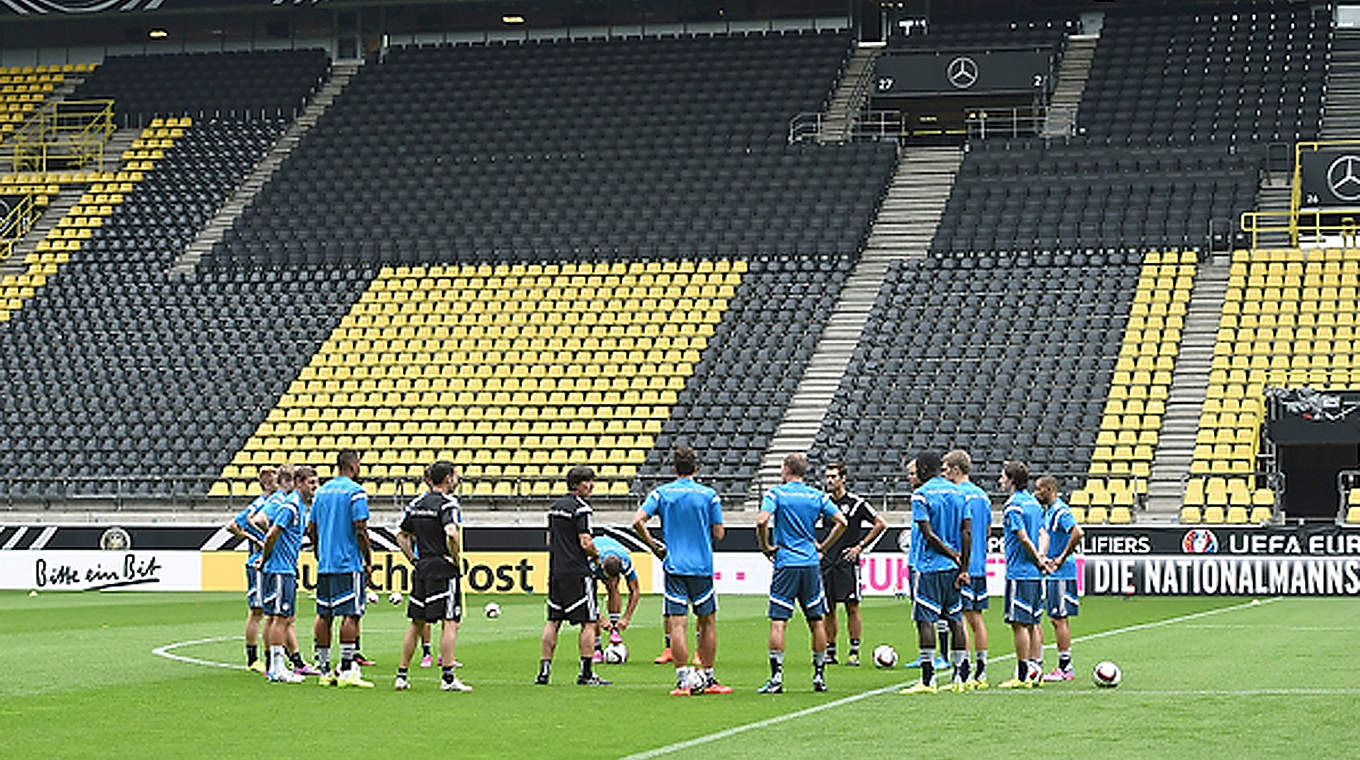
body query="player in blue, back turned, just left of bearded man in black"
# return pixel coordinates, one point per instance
(791, 512)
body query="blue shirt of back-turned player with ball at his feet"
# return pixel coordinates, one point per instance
(689, 512)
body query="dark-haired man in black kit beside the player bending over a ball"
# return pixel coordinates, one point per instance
(572, 593)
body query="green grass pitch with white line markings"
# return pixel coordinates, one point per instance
(1204, 678)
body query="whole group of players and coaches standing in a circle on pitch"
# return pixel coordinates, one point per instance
(949, 547)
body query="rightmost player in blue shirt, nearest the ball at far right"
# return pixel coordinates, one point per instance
(1060, 540)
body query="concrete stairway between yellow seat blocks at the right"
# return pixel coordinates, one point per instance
(1189, 385)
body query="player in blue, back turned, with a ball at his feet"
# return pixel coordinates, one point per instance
(692, 521)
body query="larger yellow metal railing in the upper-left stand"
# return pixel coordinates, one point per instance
(62, 135)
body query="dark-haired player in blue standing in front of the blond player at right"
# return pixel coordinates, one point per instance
(938, 509)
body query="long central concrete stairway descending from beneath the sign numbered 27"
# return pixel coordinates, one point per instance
(906, 224)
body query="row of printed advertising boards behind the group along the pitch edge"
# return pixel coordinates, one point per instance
(1302, 561)
